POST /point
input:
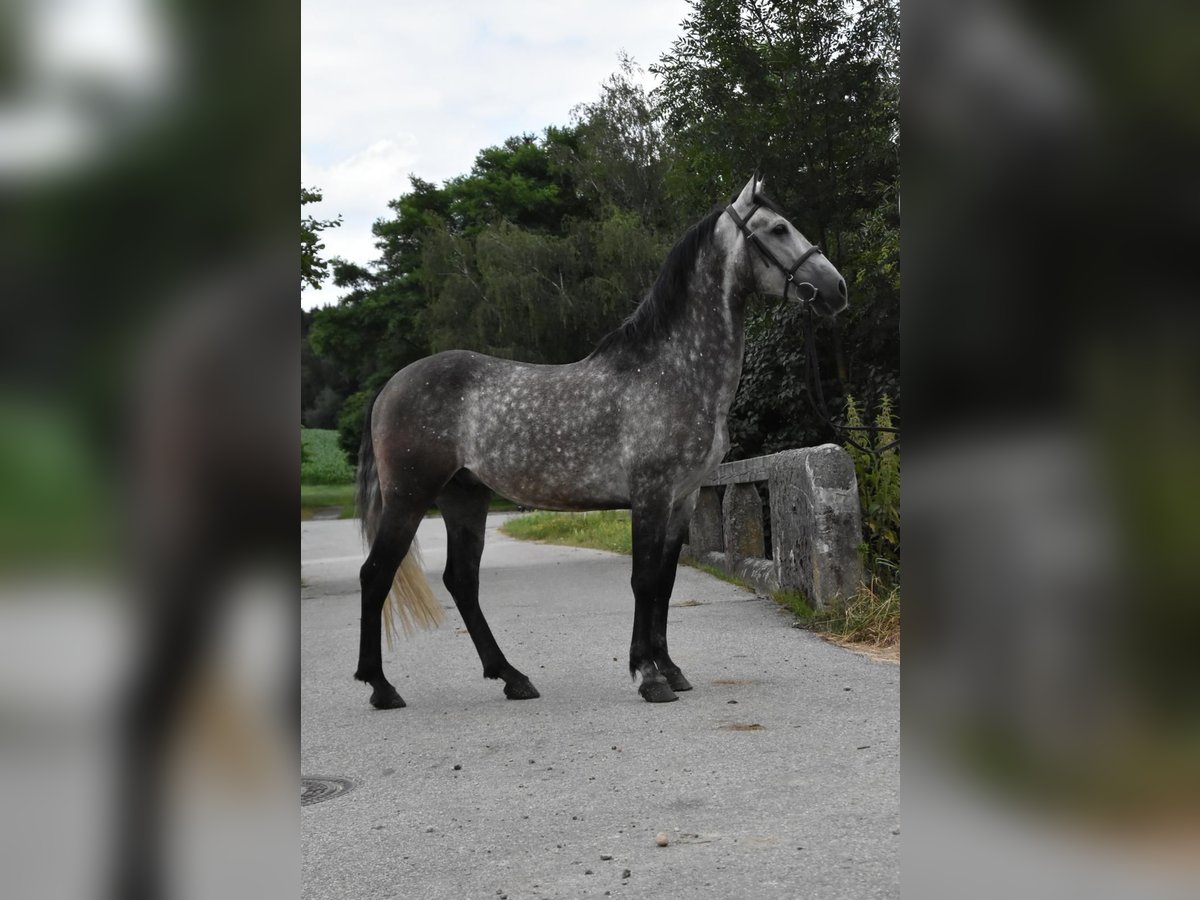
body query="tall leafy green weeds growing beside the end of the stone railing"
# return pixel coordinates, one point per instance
(879, 493)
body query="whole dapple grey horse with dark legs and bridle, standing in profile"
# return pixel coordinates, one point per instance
(637, 425)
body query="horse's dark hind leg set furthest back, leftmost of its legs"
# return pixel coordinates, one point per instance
(388, 551)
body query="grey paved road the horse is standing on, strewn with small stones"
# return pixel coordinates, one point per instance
(467, 795)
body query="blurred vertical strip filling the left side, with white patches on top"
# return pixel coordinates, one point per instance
(148, 563)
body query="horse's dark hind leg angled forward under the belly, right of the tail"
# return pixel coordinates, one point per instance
(464, 503)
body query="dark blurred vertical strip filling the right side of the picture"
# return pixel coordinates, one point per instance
(1051, 709)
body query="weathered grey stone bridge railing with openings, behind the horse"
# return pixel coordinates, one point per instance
(815, 523)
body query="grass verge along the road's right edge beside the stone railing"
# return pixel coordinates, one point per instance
(871, 619)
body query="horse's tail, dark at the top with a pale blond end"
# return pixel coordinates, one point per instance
(411, 599)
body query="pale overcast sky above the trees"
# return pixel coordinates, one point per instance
(398, 87)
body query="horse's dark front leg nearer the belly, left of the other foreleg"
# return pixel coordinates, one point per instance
(650, 527)
